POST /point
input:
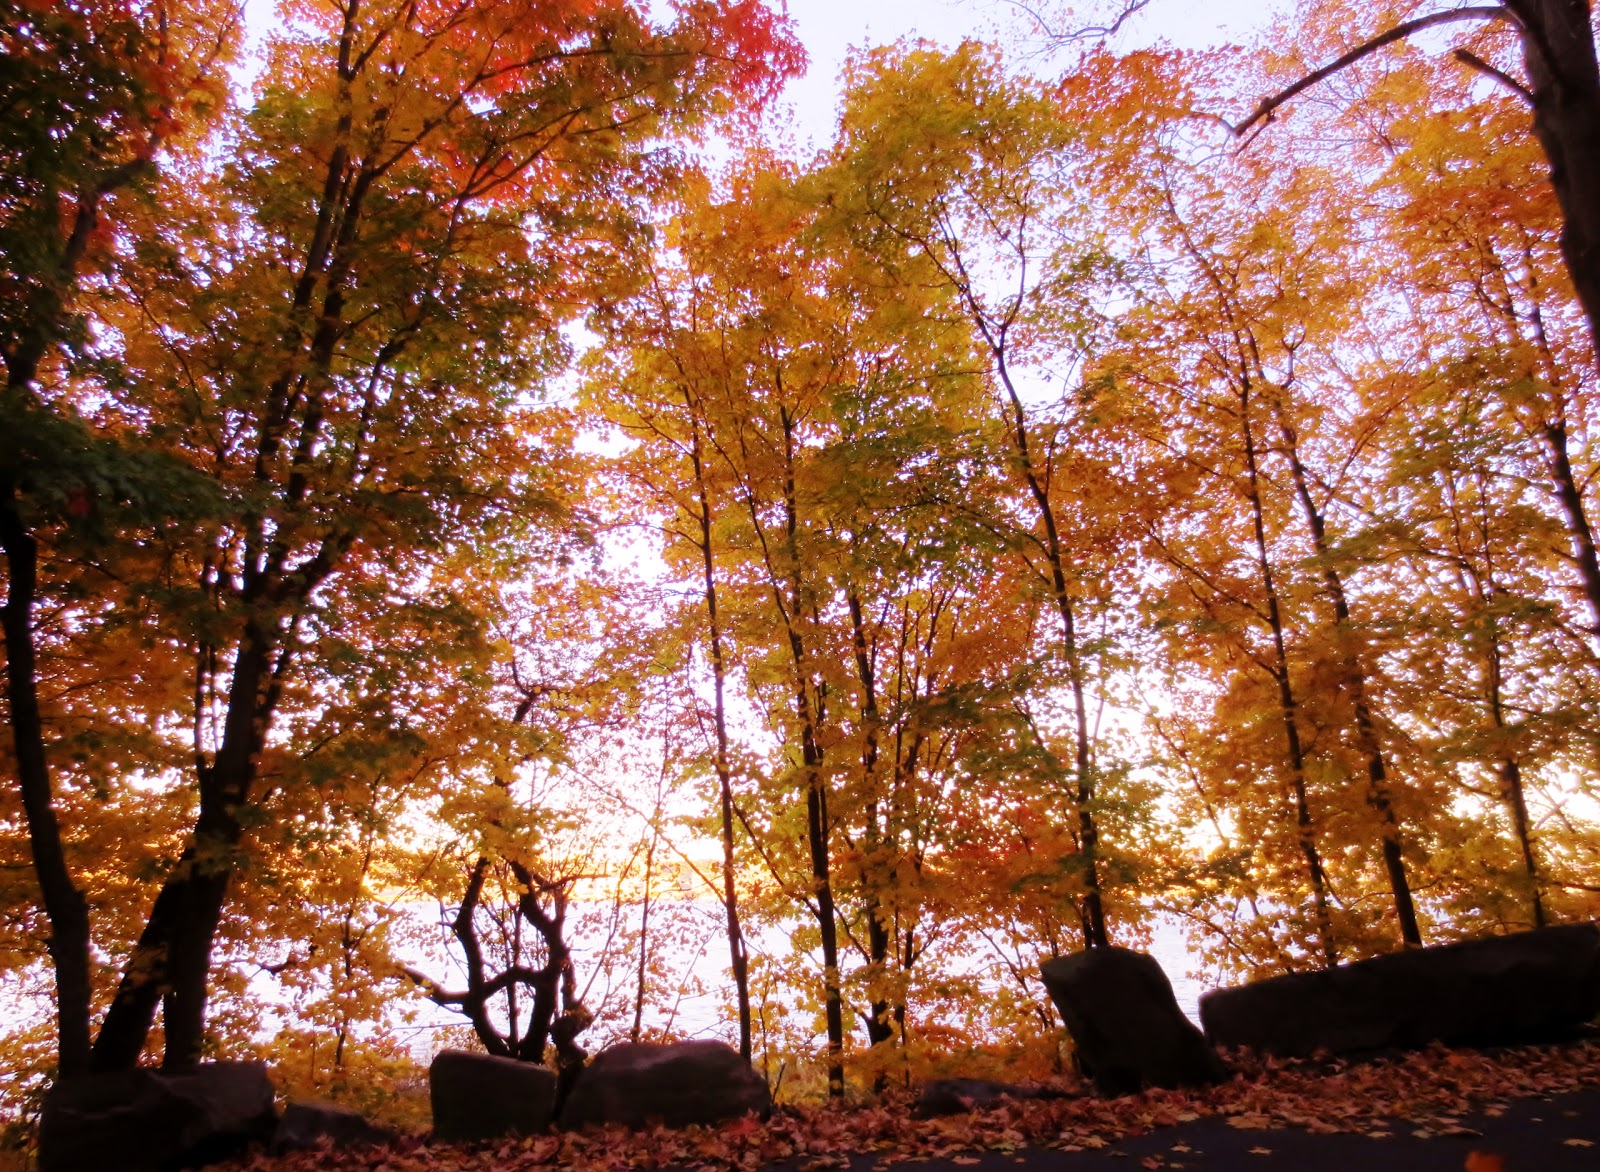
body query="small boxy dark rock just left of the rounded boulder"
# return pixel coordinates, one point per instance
(482, 1098)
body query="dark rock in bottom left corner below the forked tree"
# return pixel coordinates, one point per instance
(153, 1122)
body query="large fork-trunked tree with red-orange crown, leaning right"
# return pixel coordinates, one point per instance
(359, 271)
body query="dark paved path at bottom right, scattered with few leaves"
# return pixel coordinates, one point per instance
(1559, 1134)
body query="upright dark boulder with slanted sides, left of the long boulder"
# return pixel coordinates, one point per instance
(1126, 1024)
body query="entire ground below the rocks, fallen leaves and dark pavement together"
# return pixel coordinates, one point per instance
(1508, 1110)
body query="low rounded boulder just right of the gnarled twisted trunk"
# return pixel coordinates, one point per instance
(679, 1085)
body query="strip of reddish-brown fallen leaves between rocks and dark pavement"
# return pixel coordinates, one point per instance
(1425, 1093)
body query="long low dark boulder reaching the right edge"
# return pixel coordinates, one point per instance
(1505, 990)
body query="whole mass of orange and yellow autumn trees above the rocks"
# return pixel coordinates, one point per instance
(468, 552)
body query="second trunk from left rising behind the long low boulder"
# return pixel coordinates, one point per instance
(1354, 676)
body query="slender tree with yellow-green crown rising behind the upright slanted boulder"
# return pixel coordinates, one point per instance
(953, 175)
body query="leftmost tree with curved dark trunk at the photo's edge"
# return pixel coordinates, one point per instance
(90, 97)
